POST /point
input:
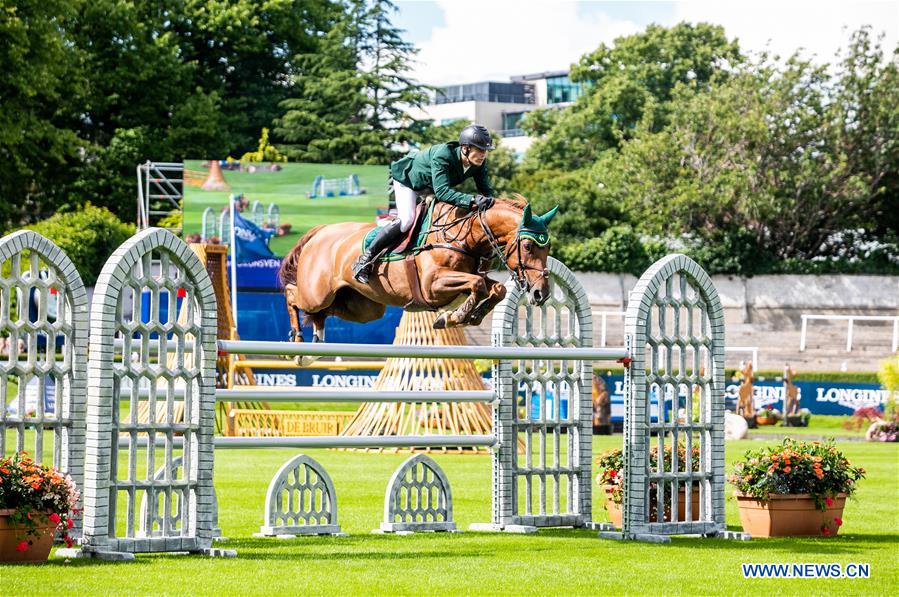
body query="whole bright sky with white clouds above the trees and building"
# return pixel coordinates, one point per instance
(516, 37)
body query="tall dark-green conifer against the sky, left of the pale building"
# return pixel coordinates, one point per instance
(349, 95)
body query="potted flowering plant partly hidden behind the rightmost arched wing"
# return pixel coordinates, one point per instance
(611, 479)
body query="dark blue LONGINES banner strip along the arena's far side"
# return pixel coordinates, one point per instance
(819, 397)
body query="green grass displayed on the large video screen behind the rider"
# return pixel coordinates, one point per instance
(288, 189)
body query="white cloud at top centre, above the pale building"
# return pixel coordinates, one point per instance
(495, 39)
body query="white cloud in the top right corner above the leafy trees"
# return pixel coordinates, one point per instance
(820, 27)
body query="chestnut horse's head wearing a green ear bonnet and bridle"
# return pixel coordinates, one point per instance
(528, 257)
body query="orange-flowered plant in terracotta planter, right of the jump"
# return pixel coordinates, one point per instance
(794, 489)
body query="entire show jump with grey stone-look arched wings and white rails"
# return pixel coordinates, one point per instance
(674, 337)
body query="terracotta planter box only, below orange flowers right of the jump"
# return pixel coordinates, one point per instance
(789, 515)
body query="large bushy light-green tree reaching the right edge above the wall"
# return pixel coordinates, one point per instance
(784, 160)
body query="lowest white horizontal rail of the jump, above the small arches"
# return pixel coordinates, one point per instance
(334, 441)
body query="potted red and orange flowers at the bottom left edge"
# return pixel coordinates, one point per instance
(36, 501)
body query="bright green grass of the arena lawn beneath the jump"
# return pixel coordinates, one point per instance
(552, 562)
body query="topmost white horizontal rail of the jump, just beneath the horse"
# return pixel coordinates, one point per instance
(422, 352)
